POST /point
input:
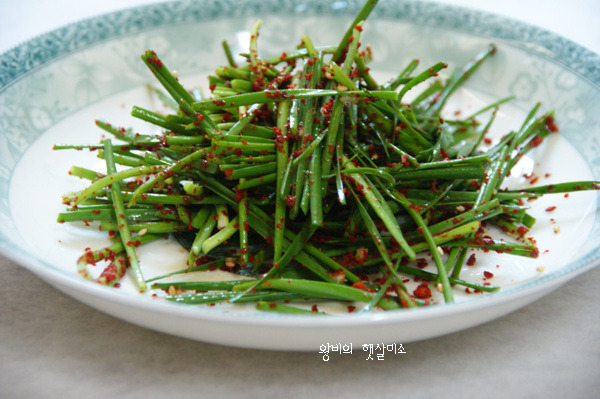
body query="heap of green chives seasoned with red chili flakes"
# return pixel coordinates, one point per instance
(311, 181)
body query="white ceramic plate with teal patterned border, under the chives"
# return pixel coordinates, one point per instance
(53, 87)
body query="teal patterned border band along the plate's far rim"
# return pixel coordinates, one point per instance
(30, 55)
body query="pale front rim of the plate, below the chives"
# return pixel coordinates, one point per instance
(55, 277)
